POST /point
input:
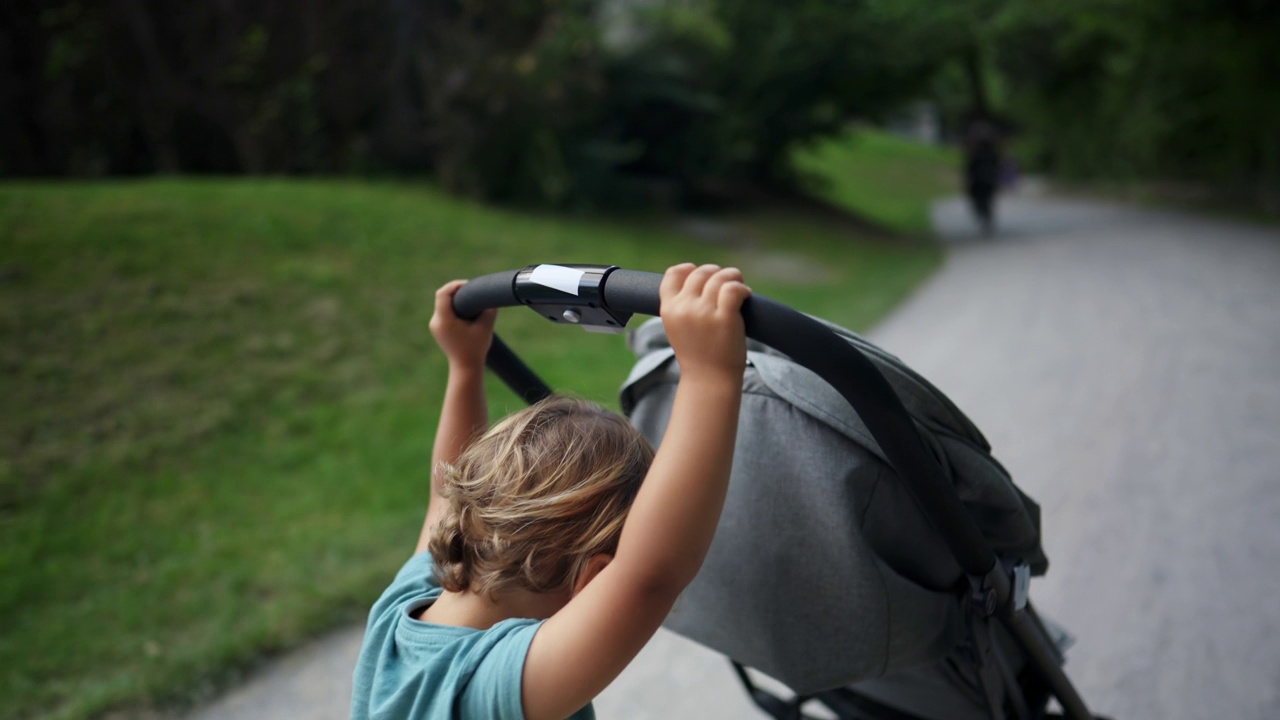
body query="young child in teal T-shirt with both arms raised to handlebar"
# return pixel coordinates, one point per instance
(559, 541)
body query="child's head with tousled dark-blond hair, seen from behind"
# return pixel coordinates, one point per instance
(540, 495)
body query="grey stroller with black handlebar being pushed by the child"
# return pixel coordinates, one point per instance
(872, 557)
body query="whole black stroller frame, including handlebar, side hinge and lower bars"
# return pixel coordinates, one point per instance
(605, 298)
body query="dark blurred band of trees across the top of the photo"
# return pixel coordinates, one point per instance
(615, 103)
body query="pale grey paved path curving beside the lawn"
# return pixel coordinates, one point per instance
(1126, 366)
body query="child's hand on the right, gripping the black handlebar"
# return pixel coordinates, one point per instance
(702, 312)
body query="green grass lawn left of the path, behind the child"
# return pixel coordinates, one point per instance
(221, 398)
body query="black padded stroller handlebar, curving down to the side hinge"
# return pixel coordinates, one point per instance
(802, 339)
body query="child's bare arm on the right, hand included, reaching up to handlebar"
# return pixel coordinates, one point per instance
(580, 650)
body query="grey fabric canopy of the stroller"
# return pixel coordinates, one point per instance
(824, 572)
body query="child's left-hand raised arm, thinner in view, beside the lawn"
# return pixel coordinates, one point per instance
(465, 413)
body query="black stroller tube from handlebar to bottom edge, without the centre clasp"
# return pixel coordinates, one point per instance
(812, 345)
